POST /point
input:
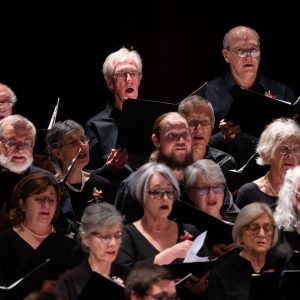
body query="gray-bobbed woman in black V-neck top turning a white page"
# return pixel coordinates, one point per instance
(154, 237)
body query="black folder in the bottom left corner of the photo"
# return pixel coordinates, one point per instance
(33, 280)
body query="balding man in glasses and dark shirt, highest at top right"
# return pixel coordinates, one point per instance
(241, 51)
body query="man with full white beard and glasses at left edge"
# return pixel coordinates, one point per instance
(17, 137)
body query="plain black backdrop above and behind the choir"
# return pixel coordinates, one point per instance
(56, 49)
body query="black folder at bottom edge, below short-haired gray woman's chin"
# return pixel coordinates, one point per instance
(100, 287)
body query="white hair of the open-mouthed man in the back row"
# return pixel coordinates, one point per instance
(120, 55)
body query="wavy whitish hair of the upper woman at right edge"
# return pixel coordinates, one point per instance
(273, 135)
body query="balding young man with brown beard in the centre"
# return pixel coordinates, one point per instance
(172, 140)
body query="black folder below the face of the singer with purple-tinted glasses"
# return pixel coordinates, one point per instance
(218, 232)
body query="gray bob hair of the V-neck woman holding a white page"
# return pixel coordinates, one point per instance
(139, 184)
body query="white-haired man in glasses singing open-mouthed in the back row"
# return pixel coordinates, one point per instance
(123, 73)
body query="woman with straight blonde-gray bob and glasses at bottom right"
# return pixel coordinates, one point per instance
(254, 233)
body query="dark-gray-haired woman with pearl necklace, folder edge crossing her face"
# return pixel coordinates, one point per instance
(68, 150)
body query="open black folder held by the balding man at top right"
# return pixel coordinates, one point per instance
(253, 111)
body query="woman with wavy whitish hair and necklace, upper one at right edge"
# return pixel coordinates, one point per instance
(278, 147)
